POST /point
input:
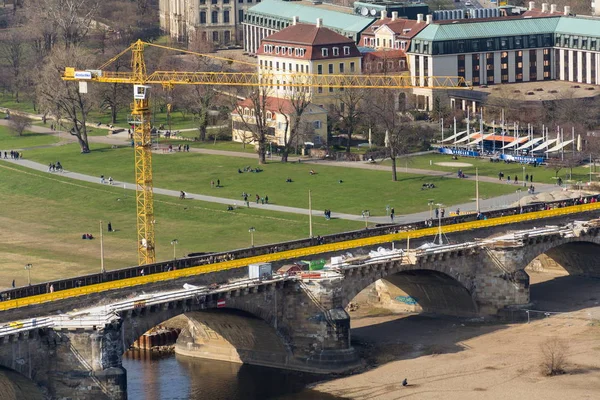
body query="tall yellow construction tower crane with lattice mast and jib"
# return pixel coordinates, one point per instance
(140, 110)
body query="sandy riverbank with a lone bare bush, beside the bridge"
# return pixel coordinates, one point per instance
(452, 359)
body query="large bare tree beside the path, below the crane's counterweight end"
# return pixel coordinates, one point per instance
(63, 99)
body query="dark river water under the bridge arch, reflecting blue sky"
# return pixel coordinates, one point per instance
(171, 377)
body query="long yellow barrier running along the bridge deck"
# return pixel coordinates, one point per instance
(292, 254)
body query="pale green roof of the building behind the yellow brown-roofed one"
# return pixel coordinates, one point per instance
(336, 20)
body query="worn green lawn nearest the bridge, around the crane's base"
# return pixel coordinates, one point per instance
(44, 216)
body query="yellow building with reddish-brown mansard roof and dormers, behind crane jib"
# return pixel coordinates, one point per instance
(309, 49)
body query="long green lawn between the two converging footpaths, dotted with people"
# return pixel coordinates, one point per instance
(360, 189)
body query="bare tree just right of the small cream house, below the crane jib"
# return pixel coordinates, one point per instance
(347, 112)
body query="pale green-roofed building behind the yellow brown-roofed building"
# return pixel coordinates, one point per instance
(271, 16)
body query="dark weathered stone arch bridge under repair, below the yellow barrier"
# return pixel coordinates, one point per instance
(287, 322)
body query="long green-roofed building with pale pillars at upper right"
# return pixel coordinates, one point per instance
(551, 46)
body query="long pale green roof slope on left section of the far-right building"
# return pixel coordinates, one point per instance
(483, 29)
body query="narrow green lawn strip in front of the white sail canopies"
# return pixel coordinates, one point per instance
(486, 168)
